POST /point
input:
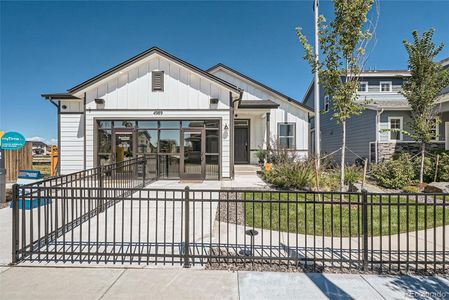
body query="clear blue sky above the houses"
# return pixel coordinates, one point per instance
(52, 46)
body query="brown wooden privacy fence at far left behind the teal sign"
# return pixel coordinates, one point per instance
(16, 160)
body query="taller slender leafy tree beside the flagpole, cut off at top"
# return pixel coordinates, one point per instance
(343, 45)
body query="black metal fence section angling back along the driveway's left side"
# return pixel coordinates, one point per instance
(51, 208)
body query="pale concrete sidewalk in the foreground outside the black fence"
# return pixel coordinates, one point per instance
(177, 283)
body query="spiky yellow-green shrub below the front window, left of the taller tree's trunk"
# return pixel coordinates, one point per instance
(298, 175)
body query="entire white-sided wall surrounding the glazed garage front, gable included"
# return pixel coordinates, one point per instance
(128, 95)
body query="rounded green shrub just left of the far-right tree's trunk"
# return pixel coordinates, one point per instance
(395, 173)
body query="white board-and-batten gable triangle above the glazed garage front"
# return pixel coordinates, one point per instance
(131, 88)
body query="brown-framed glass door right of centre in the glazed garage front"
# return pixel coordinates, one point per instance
(192, 154)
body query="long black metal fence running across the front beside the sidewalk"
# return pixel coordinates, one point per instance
(261, 229)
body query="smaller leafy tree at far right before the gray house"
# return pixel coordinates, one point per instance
(428, 78)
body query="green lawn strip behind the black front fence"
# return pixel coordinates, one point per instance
(340, 220)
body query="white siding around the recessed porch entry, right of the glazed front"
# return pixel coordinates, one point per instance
(286, 112)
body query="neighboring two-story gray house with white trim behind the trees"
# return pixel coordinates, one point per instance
(386, 109)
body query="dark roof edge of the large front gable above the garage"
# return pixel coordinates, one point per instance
(142, 55)
